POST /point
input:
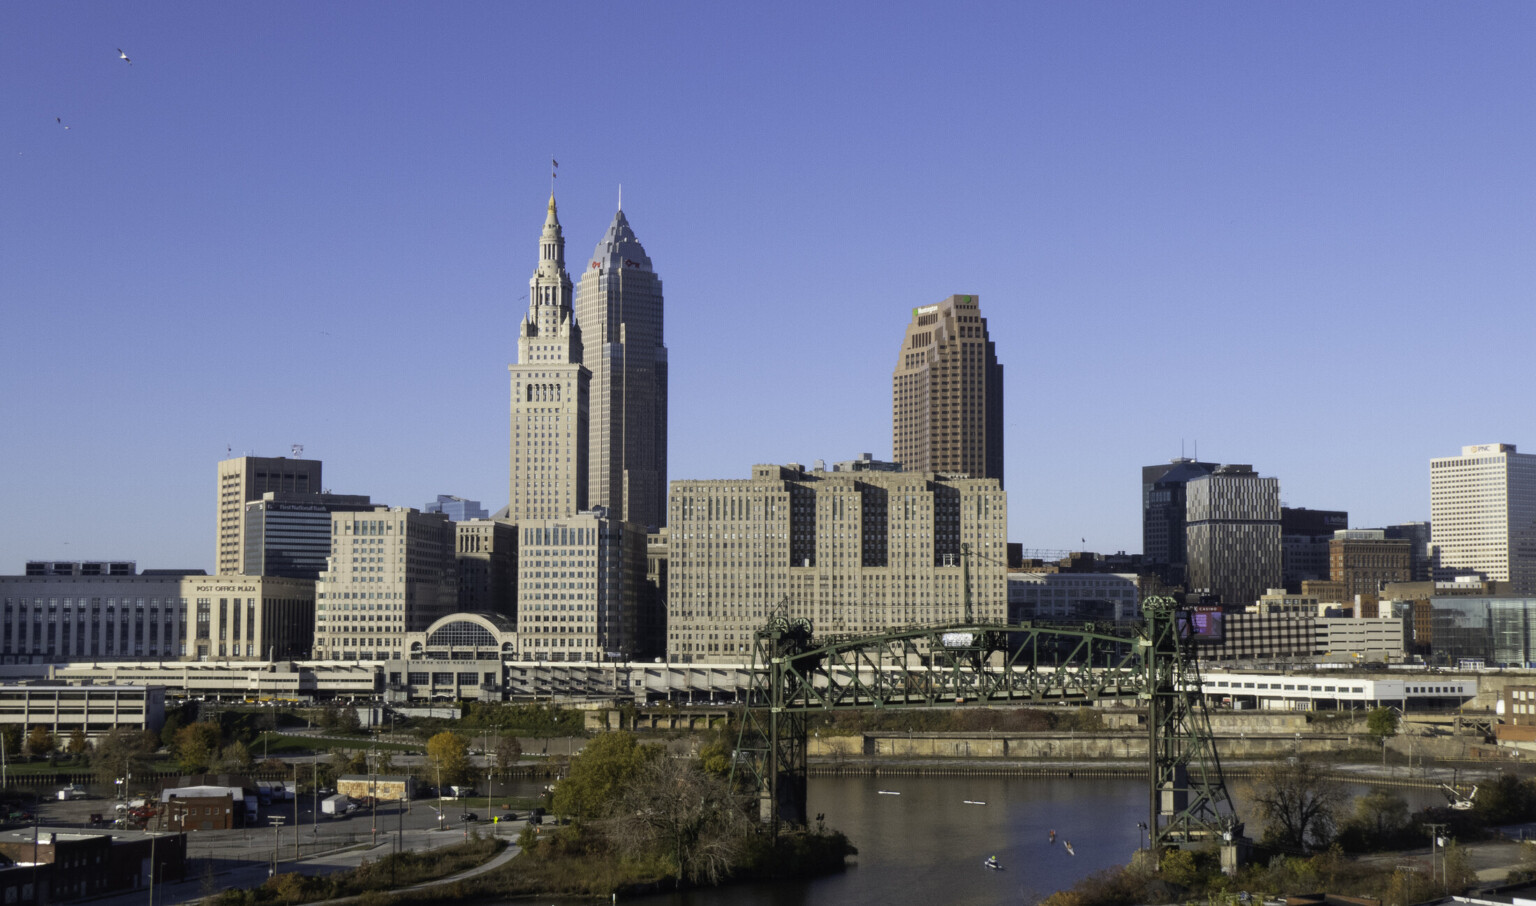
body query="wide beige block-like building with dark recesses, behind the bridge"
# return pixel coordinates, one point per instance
(858, 554)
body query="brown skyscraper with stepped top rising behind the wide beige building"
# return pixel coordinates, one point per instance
(947, 398)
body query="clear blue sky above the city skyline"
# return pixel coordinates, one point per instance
(1300, 236)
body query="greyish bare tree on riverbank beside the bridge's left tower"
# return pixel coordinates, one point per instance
(674, 807)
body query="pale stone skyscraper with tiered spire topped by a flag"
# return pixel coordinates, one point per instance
(549, 394)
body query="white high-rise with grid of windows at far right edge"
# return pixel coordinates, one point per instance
(1483, 515)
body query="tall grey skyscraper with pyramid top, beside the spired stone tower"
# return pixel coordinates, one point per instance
(620, 312)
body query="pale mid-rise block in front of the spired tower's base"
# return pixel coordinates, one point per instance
(580, 586)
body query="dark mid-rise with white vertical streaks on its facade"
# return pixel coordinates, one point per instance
(1234, 534)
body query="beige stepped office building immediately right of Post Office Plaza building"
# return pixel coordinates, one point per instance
(391, 572)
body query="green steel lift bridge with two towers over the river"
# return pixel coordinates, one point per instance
(979, 664)
